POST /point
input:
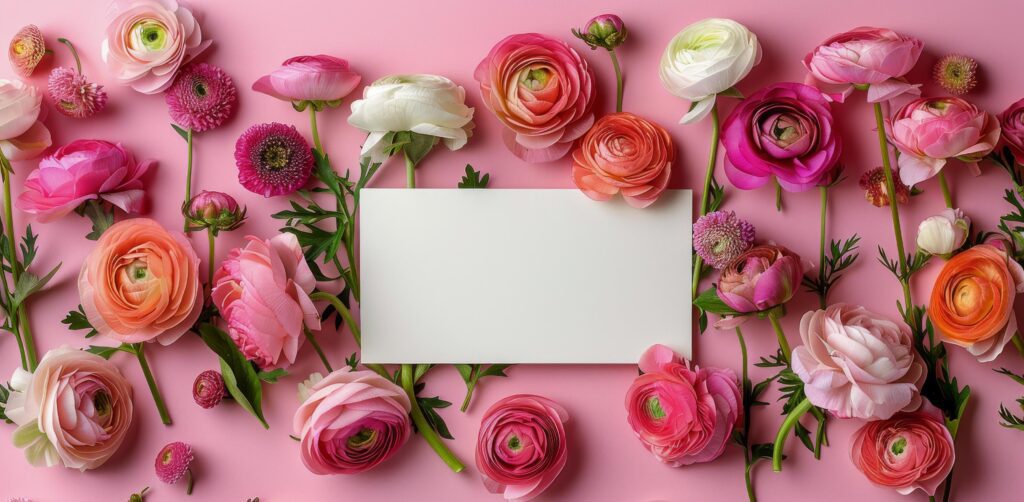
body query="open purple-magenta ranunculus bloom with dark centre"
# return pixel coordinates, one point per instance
(785, 131)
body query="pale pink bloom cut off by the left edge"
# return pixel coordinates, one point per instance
(23, 136)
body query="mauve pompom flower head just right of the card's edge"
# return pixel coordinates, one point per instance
(719, 237)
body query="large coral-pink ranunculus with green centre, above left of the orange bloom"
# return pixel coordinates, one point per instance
(542, 91)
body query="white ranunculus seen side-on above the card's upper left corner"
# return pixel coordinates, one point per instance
(429, 105)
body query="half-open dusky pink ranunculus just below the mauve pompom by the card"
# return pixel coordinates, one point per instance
(762, 278)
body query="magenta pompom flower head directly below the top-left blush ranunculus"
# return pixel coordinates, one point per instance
(202, 98)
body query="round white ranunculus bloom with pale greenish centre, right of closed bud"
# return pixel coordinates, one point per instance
(707, 58)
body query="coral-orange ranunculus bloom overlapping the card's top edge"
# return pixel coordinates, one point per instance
(627, 154)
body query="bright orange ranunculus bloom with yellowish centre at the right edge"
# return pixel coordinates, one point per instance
(972, 302)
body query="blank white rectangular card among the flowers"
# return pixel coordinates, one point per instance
(522, 276)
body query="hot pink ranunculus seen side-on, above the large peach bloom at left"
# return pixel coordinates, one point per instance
(81, 172)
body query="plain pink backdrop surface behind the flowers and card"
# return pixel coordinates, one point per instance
(239, 459)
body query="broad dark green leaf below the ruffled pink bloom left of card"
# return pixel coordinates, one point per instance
(240, 376)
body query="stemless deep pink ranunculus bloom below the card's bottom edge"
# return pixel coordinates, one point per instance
(522, 447)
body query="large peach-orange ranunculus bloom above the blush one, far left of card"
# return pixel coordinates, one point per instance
(142, 283)
